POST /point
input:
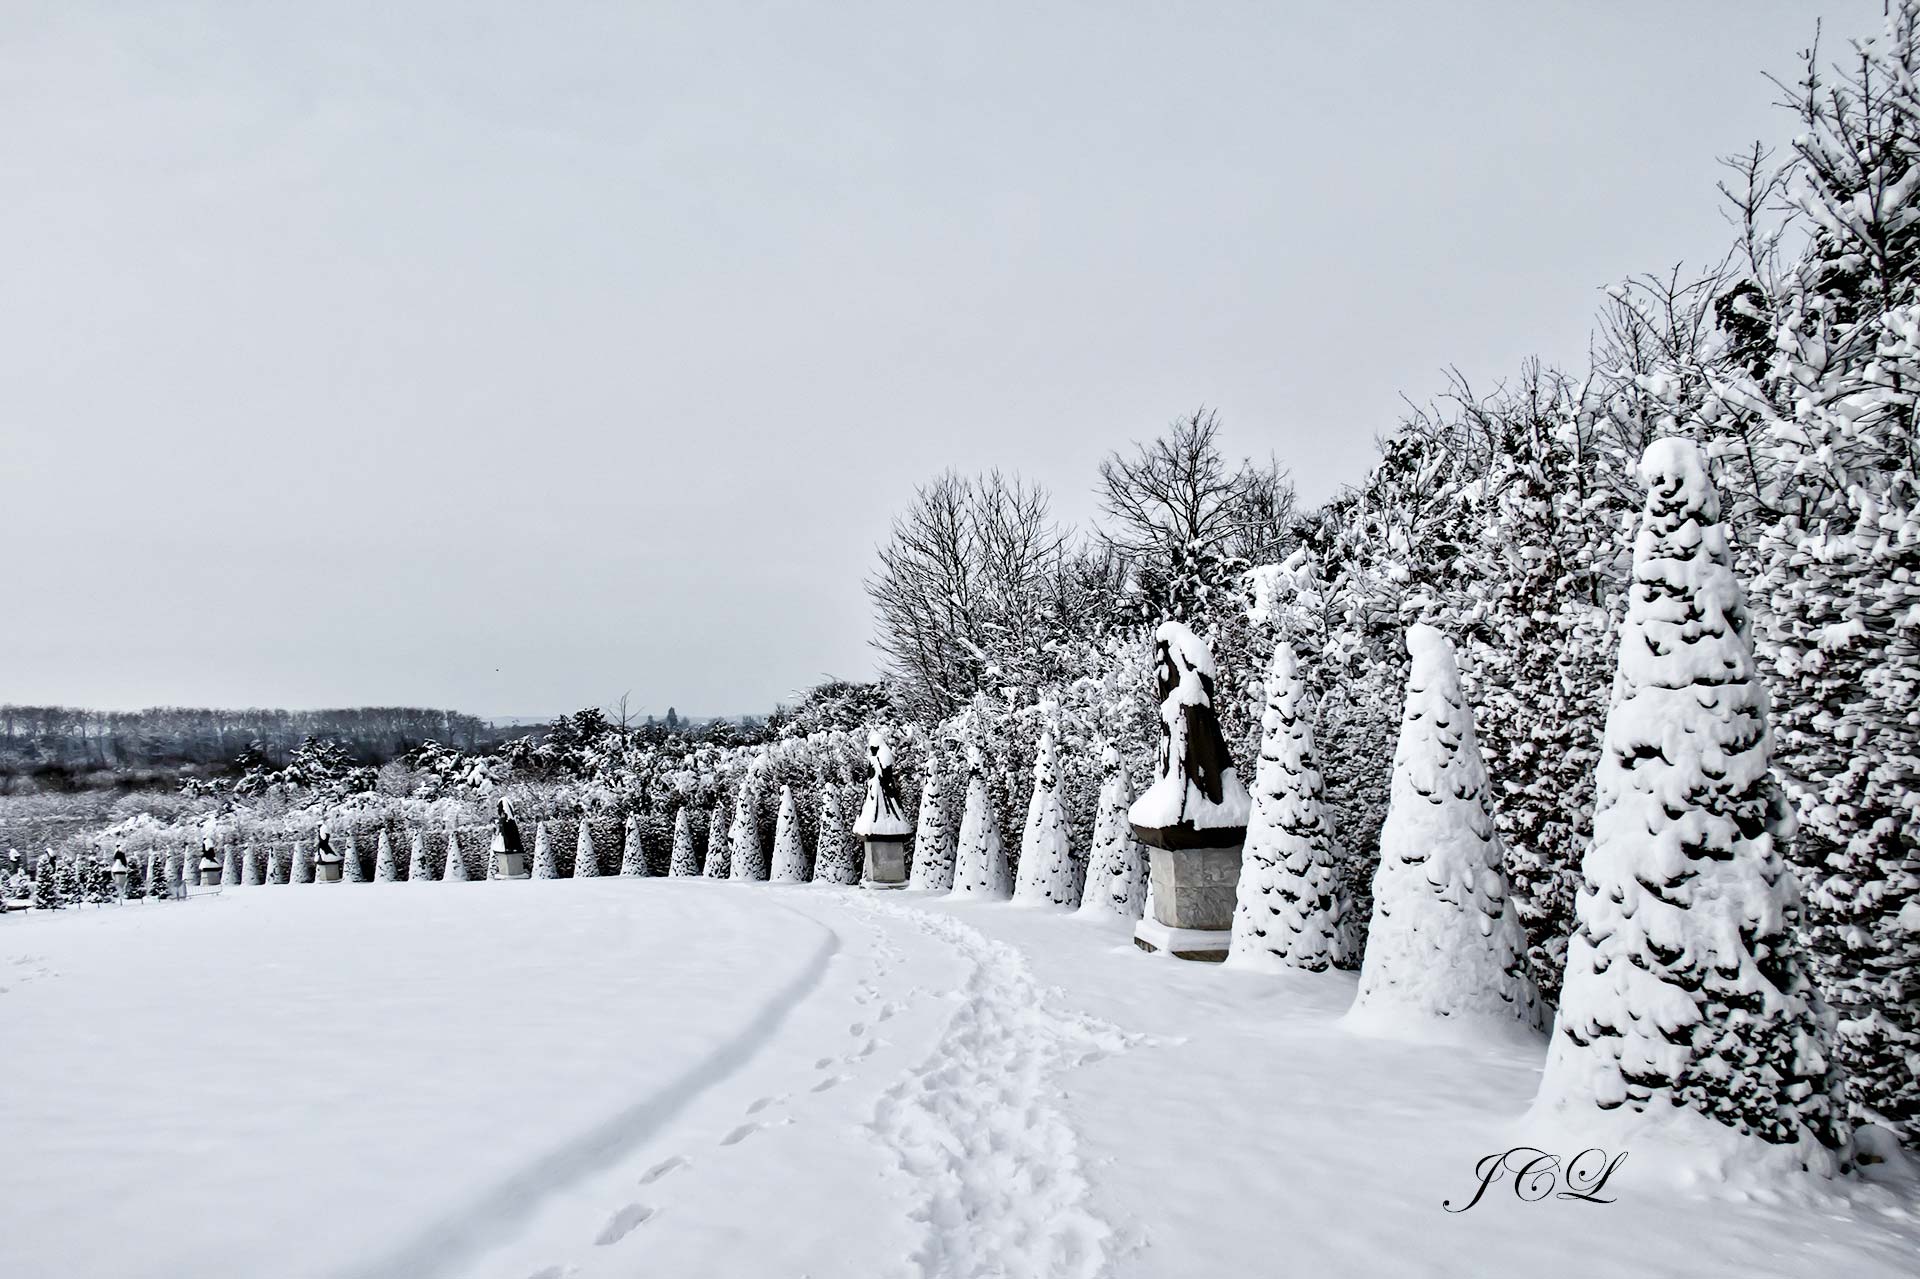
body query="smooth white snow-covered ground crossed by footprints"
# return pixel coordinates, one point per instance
(702, 1078)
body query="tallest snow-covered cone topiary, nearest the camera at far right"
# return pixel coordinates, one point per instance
(1687, 986)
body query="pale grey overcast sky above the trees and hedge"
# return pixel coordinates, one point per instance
(510, 358)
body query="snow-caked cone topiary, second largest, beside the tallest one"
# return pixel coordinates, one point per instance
(1447, 946)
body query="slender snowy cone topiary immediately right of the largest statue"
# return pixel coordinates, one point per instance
(1287, 909)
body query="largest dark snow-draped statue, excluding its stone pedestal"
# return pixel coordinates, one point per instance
(1197, 800)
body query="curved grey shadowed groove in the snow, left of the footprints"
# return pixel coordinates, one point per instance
(452, 1243)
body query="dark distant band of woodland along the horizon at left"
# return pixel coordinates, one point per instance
(66, 748)
